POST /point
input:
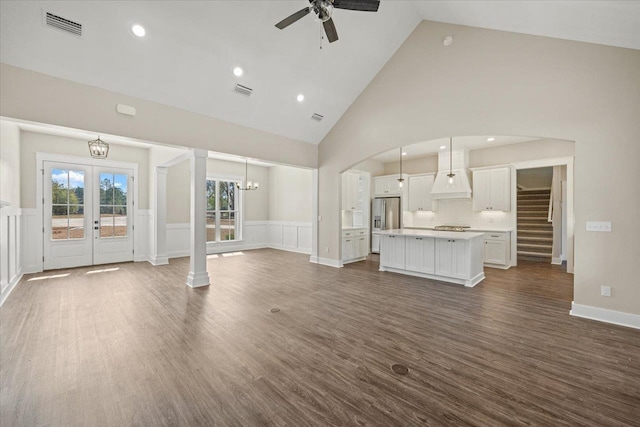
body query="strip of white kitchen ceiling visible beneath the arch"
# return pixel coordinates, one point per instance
(431, 148)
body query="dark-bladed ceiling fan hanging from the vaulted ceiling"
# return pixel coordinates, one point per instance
(323, 10)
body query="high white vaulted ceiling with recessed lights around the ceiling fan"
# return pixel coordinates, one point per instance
(187, 57)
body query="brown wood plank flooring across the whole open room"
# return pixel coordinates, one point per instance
(135, 346)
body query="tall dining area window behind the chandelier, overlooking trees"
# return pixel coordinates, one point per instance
(223, 210)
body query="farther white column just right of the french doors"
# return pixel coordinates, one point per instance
(159, 232)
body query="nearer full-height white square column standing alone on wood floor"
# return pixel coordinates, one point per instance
(198, 275)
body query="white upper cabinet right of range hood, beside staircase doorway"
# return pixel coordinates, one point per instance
(492, 189)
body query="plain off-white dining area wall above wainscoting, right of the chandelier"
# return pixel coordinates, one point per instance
(290, 194)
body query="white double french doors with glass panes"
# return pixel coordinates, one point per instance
(87, 215)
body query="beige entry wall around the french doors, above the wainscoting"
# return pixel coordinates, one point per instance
(32, 143)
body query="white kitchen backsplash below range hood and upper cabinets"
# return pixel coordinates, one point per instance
(457, 212)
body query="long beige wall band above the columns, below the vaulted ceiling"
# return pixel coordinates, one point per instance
(79, 106)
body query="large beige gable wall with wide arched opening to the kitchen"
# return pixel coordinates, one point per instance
(494, 82)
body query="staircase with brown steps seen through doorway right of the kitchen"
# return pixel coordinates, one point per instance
(535, 233)
